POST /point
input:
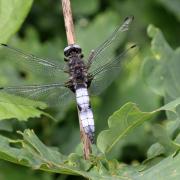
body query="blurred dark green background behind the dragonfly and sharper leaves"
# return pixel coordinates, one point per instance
(42, 33)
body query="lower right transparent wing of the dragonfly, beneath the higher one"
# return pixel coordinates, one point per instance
(103, 76)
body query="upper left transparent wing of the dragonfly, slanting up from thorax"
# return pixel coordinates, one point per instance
(31, 64)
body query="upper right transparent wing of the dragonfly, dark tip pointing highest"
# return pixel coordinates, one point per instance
(105, 52)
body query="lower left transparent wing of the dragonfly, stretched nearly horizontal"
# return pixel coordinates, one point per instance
(52, 94)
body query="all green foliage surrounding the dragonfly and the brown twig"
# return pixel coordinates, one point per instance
(138, 140)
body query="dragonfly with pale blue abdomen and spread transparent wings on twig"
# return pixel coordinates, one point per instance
(84, 77)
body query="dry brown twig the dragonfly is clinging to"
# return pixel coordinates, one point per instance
(71, 40)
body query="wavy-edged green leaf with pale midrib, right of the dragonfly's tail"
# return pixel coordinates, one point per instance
(123, 121)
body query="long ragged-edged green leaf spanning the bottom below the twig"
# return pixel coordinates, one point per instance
(31, 152)
